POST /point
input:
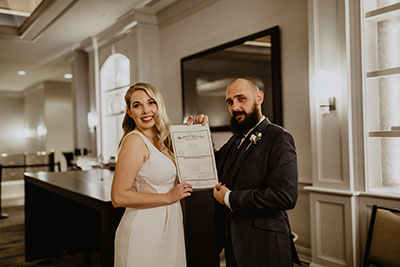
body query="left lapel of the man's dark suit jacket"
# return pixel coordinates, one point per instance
(244, 150)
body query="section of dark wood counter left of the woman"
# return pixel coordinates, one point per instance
(69, 212)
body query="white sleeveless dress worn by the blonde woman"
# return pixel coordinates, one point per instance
(152, 236)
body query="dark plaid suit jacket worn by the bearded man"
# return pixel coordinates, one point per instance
(263, 180)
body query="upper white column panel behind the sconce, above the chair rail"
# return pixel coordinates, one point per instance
(327, 65)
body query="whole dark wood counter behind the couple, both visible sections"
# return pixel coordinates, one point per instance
(72, 211)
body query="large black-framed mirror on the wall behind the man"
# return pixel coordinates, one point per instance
(205, 76)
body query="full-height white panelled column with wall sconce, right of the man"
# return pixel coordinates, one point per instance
(334, 69)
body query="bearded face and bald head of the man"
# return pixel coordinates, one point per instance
(244, 104)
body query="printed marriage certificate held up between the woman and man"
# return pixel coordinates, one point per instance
(194, 155)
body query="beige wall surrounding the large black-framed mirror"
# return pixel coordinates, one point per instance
(227, 20)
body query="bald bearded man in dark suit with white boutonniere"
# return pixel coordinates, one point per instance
(258, 172)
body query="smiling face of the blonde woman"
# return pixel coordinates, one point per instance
(142, 110)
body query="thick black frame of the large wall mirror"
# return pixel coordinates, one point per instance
(275, 75)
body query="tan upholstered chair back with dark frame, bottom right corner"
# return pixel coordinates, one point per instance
(383, 241)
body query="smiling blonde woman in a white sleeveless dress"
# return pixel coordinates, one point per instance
(151, 230)
